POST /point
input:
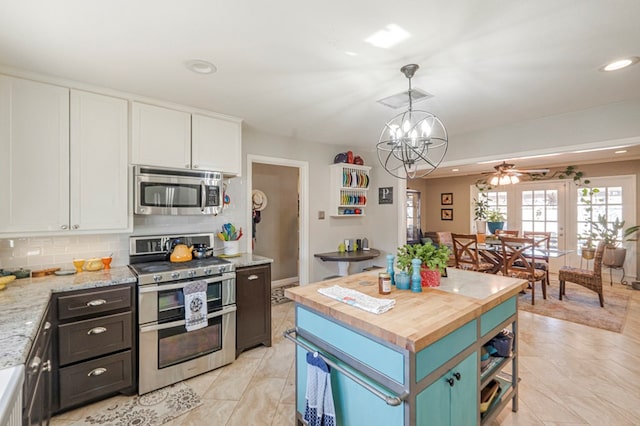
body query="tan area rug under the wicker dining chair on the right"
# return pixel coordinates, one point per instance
(580, 305)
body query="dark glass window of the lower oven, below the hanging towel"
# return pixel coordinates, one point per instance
(177, 345)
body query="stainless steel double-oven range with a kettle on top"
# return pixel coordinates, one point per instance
(168, 353)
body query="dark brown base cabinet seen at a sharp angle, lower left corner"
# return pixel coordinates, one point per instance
(36, 408)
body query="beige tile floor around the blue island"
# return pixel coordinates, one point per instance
(571, 374)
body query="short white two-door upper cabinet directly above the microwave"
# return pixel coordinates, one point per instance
(166, 137)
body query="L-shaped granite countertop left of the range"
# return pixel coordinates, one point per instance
(23, 304)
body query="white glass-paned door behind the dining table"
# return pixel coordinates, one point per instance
(540, 206)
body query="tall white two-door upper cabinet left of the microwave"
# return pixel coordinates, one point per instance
(64, 163)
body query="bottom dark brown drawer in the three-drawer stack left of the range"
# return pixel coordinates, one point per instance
(92, 379)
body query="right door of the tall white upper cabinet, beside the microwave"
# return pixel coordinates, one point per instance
(99, 163)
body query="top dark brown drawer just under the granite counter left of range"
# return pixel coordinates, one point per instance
(93, 302)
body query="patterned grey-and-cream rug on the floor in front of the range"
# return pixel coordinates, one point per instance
(155, 408)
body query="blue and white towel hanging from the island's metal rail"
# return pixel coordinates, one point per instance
(319, 410)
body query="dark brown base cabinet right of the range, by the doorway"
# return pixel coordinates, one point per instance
(253, 300)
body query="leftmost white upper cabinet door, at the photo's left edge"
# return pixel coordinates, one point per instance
(34, 165)
